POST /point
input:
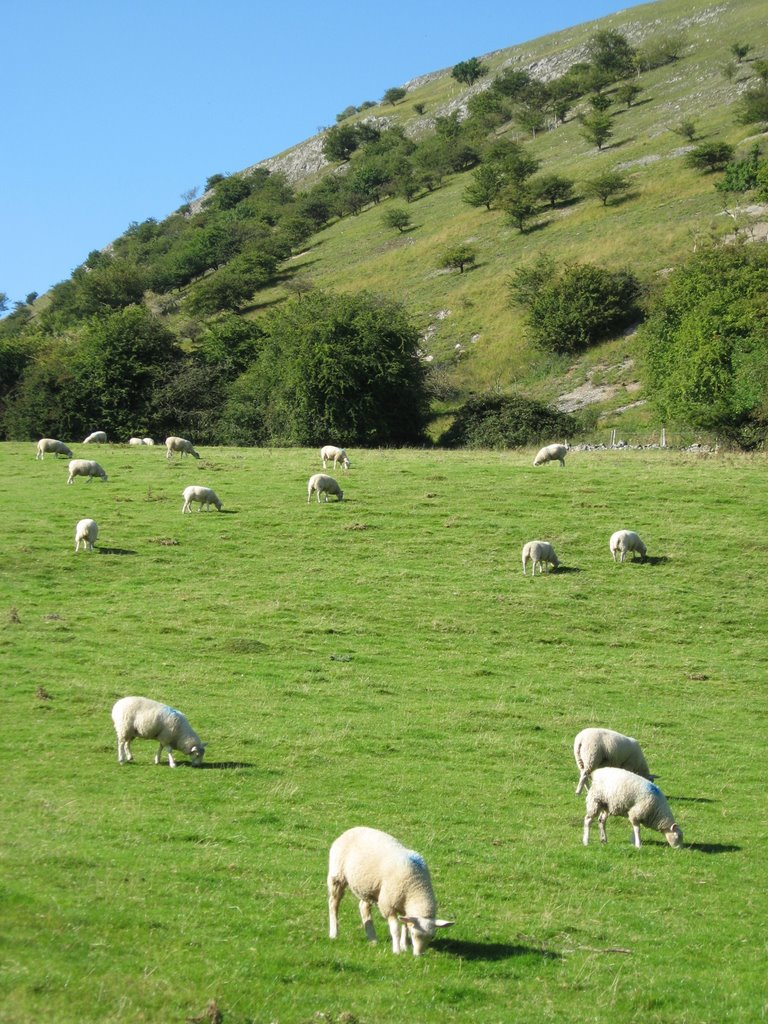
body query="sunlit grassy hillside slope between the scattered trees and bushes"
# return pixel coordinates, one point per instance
(477, 340)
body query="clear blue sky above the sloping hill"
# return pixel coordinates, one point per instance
(112, 109)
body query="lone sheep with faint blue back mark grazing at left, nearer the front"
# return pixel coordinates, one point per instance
(153, 720)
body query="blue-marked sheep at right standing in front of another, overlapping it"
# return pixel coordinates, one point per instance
(616, 791)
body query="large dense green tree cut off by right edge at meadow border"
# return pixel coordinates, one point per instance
(707, 345)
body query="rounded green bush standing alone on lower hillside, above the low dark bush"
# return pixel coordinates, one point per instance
(572, 307)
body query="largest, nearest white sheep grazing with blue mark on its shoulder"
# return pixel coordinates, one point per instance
(381, 871)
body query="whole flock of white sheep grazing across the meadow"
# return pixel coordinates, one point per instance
(373, 865)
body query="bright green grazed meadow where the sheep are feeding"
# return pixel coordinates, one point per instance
(381, 662)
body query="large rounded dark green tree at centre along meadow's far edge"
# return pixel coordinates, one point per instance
(335, 366)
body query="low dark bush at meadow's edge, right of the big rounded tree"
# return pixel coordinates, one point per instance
(501, 422)
